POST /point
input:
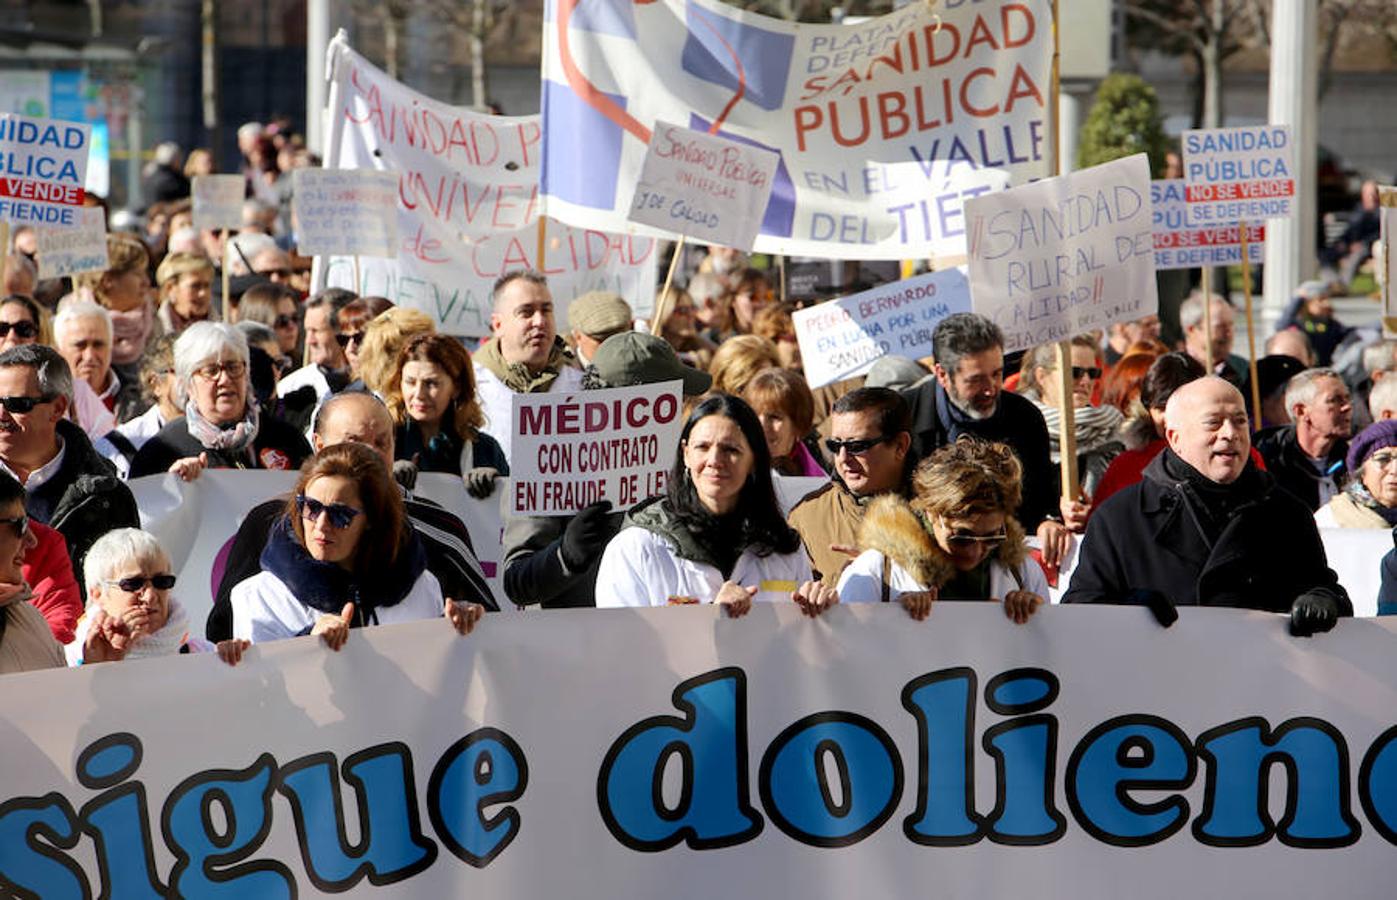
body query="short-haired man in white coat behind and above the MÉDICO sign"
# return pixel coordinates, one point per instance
(525, 356)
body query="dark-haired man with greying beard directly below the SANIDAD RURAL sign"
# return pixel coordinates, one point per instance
(967, 398)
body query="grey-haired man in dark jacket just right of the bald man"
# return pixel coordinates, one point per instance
(1307, 458)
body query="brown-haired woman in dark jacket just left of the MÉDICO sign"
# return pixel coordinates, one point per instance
(439, 419)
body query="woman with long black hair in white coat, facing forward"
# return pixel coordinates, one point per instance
(717, 535)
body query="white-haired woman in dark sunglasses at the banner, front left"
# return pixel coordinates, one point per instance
(132, 613)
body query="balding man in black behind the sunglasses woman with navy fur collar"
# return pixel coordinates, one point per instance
(361, 419)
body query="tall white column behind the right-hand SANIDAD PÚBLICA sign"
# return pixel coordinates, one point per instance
(1294, 101)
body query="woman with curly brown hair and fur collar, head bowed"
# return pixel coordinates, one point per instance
(958, 539)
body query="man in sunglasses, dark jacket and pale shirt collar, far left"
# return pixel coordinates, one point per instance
(69, 486)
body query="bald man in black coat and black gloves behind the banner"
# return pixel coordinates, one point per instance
(1205, 528)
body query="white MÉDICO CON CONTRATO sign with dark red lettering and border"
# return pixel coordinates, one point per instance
(572, 451)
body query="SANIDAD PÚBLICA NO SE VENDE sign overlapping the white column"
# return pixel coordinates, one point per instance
(1238, 175)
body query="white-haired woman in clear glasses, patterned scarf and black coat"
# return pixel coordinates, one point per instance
(223, 426)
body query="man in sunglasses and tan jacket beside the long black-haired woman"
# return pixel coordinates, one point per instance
(871, 448)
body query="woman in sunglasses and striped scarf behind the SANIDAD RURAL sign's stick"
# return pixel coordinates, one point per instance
(1097, 427)
